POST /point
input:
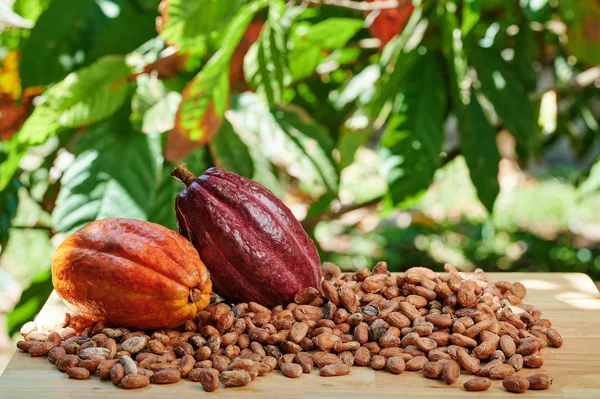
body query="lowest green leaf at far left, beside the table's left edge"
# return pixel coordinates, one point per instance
(31, 302)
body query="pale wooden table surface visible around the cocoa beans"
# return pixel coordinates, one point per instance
(570, 300)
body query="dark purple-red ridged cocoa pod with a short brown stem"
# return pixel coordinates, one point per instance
(250, 241)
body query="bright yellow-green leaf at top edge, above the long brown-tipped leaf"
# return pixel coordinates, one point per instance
(188, 23)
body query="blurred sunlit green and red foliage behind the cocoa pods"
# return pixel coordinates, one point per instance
(424, 132)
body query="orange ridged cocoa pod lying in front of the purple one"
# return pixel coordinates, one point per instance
(131, 273)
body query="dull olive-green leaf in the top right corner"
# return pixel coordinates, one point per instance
(583, 33)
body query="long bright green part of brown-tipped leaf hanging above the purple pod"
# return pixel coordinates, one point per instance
(203, 88)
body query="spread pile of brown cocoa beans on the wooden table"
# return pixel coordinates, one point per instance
(417, 321)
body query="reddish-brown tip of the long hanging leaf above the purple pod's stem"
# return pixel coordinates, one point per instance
(179, 145)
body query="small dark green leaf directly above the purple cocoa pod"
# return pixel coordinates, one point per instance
(230, 152)
